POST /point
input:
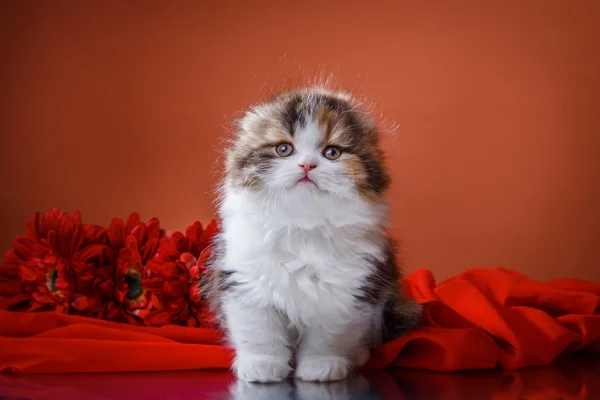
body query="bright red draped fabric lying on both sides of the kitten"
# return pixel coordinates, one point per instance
(480, 319)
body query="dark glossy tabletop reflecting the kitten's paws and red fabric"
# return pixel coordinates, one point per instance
(569, 378)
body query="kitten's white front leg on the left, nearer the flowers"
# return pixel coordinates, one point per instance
(261, 340)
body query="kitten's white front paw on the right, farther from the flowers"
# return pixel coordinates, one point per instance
(322, 368)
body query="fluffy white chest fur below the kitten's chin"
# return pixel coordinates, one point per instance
(298, 261)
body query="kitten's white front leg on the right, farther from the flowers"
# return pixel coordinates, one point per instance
(332, 344)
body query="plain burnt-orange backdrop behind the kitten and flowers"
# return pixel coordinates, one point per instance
(109, 107)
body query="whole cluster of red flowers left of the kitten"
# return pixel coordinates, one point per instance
(129, 272)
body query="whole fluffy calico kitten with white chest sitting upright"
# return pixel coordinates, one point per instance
(303, 267)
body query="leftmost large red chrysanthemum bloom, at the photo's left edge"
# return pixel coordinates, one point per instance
(48, 261)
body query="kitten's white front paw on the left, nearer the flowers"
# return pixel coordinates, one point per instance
(261, 368)
